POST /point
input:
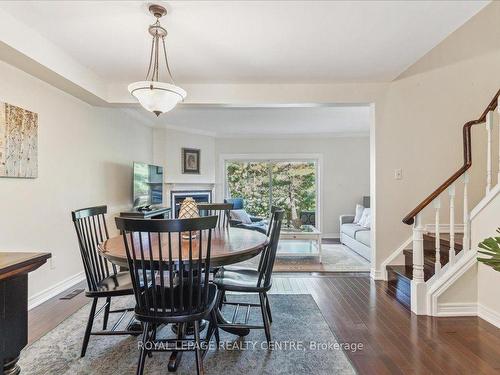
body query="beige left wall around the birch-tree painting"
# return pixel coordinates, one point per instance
(85, 156)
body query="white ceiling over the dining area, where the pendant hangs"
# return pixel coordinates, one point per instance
(249, 41)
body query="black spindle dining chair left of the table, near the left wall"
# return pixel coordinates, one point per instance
(103, 279)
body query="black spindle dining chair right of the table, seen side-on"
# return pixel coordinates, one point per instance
(252, 281)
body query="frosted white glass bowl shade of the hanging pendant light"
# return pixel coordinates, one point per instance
(157, 97)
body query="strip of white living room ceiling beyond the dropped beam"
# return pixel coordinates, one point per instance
(277, 121)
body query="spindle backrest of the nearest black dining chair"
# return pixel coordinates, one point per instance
(169, 263)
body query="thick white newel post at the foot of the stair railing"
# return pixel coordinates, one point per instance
(418, 286)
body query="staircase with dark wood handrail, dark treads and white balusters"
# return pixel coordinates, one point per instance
(440, 252)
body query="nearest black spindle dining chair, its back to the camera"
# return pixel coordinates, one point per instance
(174, 255)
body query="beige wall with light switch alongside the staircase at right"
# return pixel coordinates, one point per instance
(420, 130)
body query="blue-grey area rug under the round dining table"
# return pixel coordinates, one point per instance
(302, 344)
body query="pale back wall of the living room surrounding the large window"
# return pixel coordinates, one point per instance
(345, 169)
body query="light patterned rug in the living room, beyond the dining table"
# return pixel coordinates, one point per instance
(336, 258)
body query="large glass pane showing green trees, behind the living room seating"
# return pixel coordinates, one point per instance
(290, 184)
